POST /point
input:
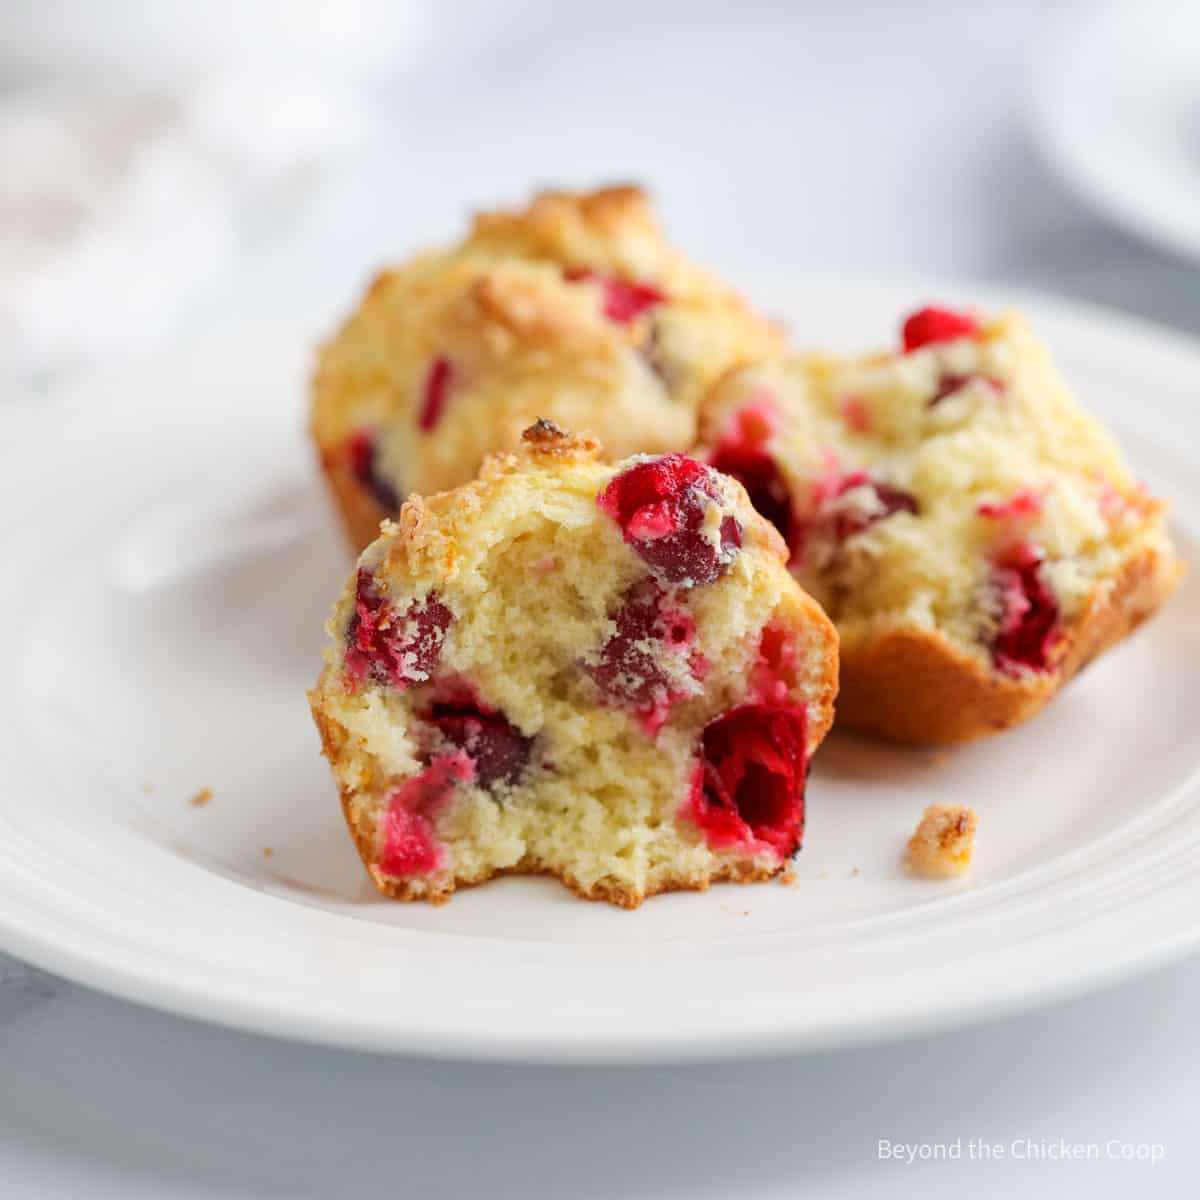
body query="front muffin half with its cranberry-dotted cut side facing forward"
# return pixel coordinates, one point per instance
(599, 673)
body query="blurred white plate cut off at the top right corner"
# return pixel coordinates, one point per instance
(1117, 111)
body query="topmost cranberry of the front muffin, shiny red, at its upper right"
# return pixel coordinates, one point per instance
(661, 507)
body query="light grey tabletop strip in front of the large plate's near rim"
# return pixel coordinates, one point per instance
(111, 1101)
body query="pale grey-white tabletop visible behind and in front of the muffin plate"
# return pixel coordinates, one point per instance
(860, 137)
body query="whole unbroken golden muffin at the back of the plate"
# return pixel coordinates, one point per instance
(574, 309)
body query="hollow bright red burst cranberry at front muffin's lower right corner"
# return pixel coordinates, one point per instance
(749, 788)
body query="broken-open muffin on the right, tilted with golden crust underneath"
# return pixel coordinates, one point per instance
(973, 532)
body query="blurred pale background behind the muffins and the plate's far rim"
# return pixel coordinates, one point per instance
(170, 167)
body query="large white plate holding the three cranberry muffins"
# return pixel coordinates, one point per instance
(169, 566)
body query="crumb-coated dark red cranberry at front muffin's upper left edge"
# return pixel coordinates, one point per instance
(391, 650)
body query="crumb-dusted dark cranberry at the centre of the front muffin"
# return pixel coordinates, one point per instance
(632, 669)
